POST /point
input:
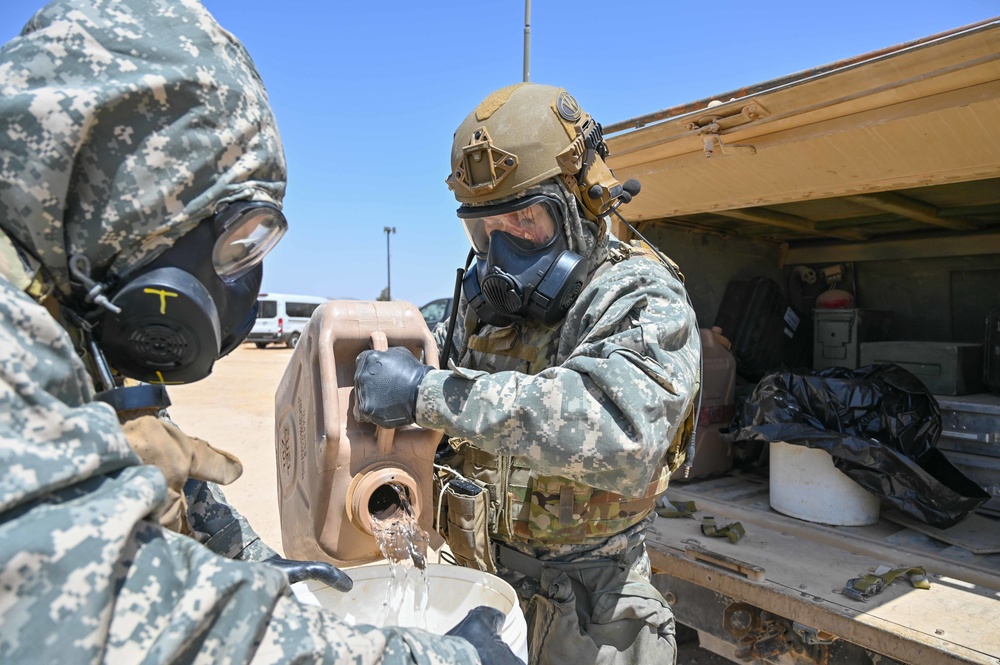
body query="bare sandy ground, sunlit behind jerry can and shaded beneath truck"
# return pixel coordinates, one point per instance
(233, 409)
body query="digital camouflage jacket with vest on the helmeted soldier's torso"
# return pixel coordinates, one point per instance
(596, 409)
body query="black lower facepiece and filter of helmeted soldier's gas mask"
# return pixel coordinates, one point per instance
(514, 283)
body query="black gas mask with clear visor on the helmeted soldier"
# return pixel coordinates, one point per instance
(524, 270)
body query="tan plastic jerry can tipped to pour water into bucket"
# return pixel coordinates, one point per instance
(334, 473)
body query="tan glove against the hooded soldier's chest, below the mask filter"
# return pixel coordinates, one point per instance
(162, 444)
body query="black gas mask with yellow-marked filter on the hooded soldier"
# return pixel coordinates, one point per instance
(195, 302)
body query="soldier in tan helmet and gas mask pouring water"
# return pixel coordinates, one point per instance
(569, 399)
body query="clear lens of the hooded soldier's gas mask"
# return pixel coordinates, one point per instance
(246, 232)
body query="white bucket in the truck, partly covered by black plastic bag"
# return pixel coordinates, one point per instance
(805, 484)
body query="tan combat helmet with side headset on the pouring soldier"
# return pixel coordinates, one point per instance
(524, 134)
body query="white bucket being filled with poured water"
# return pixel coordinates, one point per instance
(454, 590)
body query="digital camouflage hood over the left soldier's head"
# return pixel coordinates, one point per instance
(122, 125)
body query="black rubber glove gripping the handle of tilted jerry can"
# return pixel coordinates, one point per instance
(385, 387)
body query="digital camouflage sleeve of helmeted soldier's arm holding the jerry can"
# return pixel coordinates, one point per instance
(605, 414)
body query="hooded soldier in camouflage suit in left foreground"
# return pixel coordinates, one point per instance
(128, 128)
